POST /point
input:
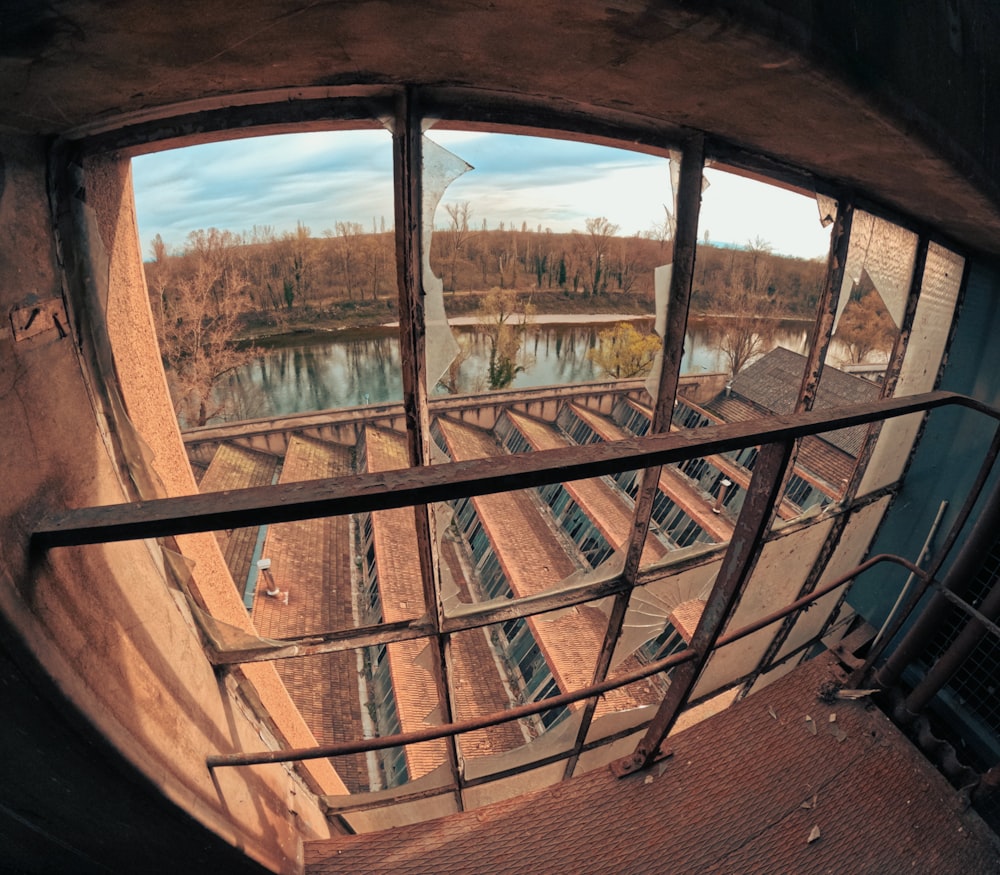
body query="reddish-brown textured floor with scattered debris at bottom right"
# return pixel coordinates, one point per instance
(748, 790)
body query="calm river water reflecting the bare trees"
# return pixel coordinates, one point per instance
(323, 371)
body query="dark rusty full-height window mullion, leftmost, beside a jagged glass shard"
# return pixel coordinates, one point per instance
(408, 167)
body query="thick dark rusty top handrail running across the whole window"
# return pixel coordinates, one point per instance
(309, 499)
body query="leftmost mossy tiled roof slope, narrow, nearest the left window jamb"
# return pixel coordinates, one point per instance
(235, 467)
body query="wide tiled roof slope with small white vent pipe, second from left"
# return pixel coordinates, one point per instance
(311, 560)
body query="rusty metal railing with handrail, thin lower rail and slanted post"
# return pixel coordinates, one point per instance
(423, 485)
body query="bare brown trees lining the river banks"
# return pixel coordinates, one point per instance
(204, 290)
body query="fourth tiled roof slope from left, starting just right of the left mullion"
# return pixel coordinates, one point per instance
(533, 561)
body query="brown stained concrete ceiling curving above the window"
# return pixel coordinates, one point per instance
(840, 97)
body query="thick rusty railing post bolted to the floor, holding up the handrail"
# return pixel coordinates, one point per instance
(737, 566)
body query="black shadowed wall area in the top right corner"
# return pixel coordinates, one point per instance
(930, 63)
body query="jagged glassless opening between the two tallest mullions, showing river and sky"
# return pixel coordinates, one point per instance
(546, 252)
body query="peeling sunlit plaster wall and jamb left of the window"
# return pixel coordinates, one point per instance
(124, 662)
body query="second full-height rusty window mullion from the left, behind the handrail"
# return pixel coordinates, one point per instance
(679, 298)
